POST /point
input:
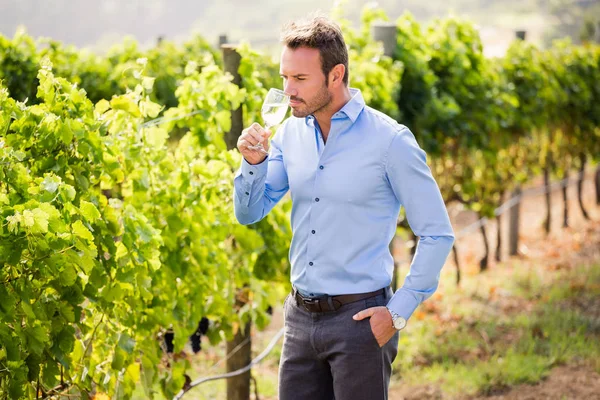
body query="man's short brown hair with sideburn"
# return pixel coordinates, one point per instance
(320, 33)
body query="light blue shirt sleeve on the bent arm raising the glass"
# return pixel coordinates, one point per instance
(257, 188)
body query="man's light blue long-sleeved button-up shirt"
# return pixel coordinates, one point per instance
(346, 197)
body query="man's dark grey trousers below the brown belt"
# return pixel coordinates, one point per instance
(329, 355)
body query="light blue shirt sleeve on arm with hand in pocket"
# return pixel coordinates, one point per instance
(416, 189)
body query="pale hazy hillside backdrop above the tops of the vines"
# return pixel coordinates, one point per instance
(98, 24)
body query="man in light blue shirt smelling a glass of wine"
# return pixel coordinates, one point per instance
(348, 168)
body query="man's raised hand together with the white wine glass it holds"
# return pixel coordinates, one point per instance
(254, 139)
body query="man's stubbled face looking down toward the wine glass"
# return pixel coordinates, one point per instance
(304, 81)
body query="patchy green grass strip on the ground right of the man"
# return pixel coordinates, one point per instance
(484, 339)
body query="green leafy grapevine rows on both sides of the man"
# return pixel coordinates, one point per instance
(118, 239)
